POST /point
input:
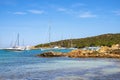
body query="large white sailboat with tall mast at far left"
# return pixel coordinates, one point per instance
(16, 47)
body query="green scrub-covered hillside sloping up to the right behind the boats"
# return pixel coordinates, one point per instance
(101, 40)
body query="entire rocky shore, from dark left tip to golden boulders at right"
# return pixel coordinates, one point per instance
(103, 52)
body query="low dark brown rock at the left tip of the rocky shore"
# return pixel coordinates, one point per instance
(51, 54)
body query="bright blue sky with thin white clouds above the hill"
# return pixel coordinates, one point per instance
(66, 18)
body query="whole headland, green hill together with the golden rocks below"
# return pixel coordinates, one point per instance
(101, 46)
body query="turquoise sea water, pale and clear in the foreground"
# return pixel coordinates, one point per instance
(26, 66)
